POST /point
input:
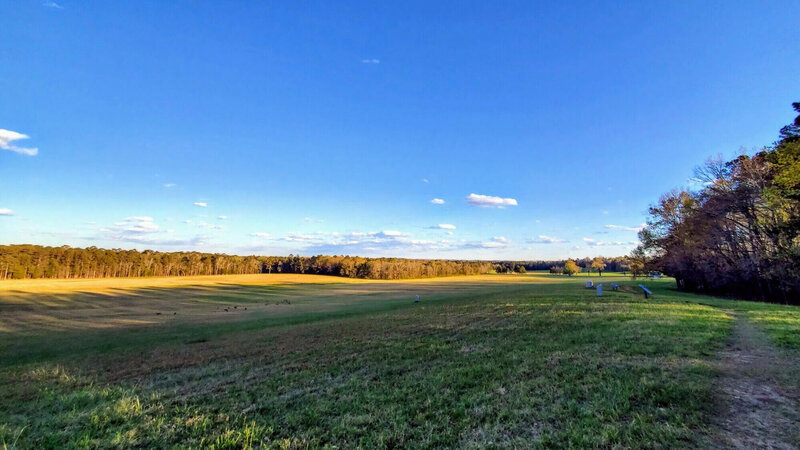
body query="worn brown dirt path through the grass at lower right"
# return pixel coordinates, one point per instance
(757, 397)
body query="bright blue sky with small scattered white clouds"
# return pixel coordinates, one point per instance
(330, 127)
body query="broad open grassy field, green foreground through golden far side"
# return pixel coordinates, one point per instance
(289, 361)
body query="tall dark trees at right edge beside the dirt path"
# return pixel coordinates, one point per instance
(739, 234)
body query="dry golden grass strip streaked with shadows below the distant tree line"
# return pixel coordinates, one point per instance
(39, 305)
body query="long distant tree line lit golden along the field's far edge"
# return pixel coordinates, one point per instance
(35, 261)
